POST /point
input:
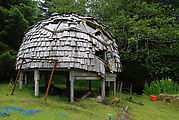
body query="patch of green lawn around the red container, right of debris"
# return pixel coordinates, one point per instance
(157, 110)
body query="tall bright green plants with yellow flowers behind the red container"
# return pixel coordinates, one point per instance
(165, 86)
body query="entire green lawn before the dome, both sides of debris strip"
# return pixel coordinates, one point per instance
(59, 109)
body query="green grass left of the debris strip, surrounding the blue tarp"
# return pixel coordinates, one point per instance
(53, 108)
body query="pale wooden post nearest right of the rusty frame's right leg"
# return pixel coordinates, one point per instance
(71, 87)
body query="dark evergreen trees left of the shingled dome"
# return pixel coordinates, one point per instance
(16, 17)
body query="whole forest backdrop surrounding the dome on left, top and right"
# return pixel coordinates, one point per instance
(146, 31)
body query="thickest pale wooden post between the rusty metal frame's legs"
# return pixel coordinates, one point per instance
(36, 79)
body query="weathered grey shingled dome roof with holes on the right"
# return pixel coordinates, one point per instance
(76, 41)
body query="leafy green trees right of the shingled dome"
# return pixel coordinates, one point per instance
(146, 33)
